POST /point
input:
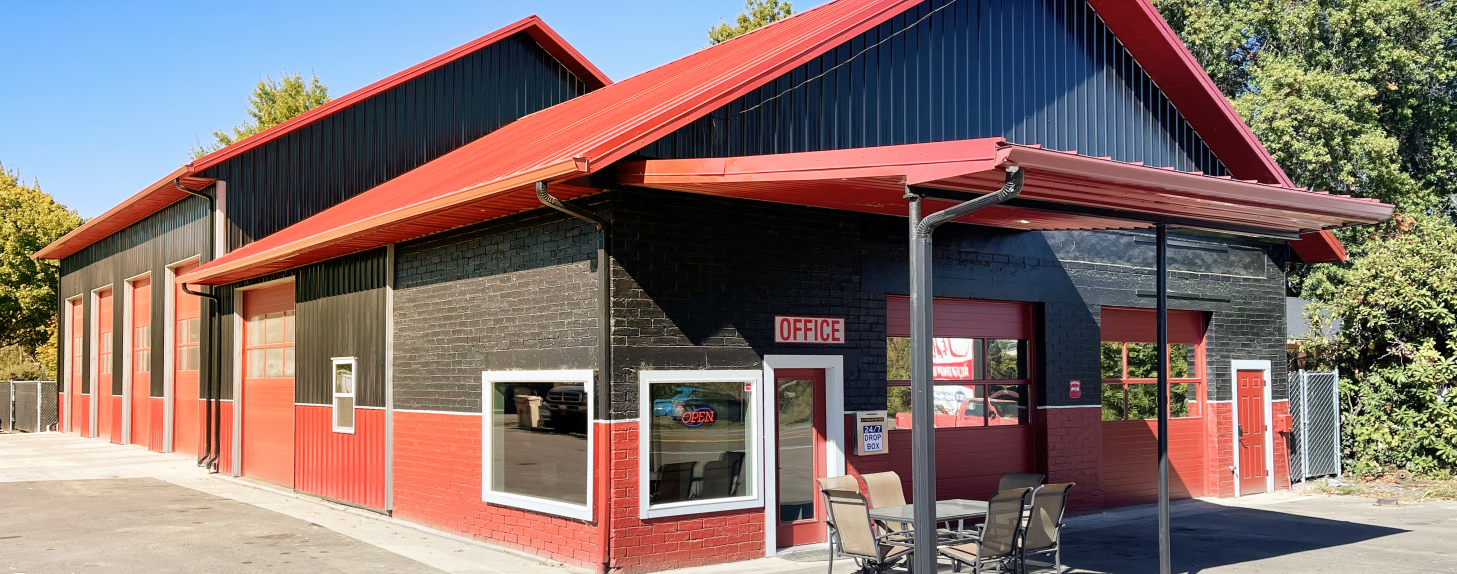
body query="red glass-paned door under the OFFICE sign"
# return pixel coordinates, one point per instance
(799, 398)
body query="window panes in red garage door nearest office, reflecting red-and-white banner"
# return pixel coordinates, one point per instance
(959, 368)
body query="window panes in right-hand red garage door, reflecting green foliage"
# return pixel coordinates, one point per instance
(1131, 381)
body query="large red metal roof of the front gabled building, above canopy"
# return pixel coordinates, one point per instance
(493, 176)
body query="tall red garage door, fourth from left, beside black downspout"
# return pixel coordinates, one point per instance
(187, 358)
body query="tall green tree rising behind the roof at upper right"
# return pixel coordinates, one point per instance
(1353, 97)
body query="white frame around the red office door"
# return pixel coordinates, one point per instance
(834, 368)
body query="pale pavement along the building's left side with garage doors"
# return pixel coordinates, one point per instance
(82, 505)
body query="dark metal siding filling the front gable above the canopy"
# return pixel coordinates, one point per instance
(1034, 72)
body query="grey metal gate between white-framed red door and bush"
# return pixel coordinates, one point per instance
(1315, 409)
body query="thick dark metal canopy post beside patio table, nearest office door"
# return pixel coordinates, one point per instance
(923, 397)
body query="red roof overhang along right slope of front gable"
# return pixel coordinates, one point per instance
(1165, 58)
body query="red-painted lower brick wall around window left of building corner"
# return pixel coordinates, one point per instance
(438, 483)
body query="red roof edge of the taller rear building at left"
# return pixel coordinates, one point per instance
(160, 196)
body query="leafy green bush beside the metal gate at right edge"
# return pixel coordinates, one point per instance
(1398, 312)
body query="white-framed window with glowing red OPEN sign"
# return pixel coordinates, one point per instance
(700, 447)
